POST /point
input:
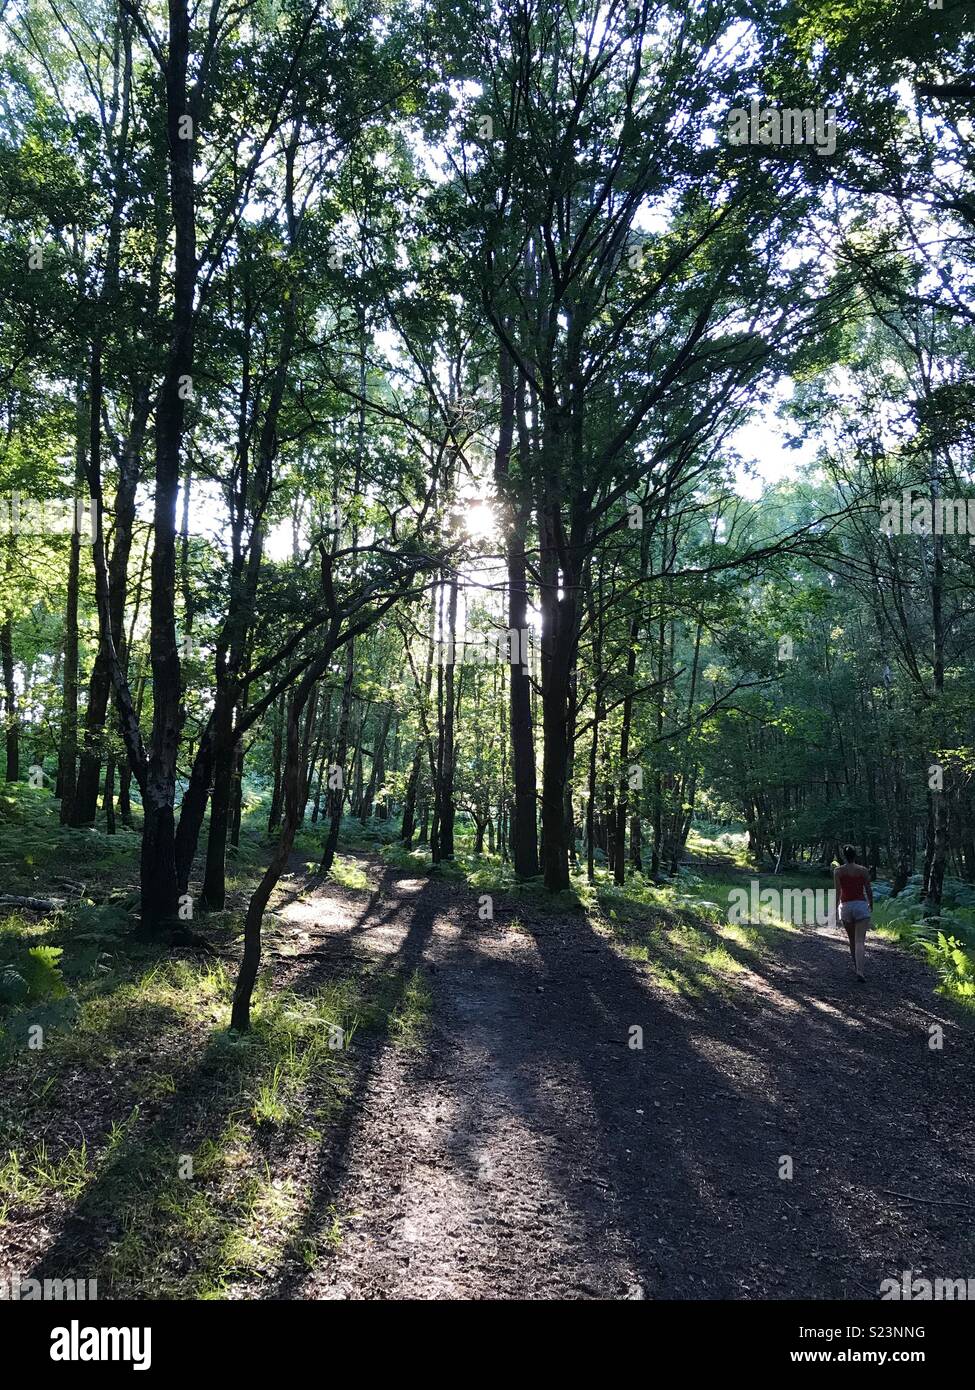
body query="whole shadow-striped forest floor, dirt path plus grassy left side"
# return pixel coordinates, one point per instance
(494, 1132)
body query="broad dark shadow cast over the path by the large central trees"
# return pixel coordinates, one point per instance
(710, 1135)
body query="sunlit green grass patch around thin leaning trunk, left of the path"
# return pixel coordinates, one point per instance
(184, 1156)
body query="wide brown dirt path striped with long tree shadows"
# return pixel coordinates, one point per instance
(529, 1152)
